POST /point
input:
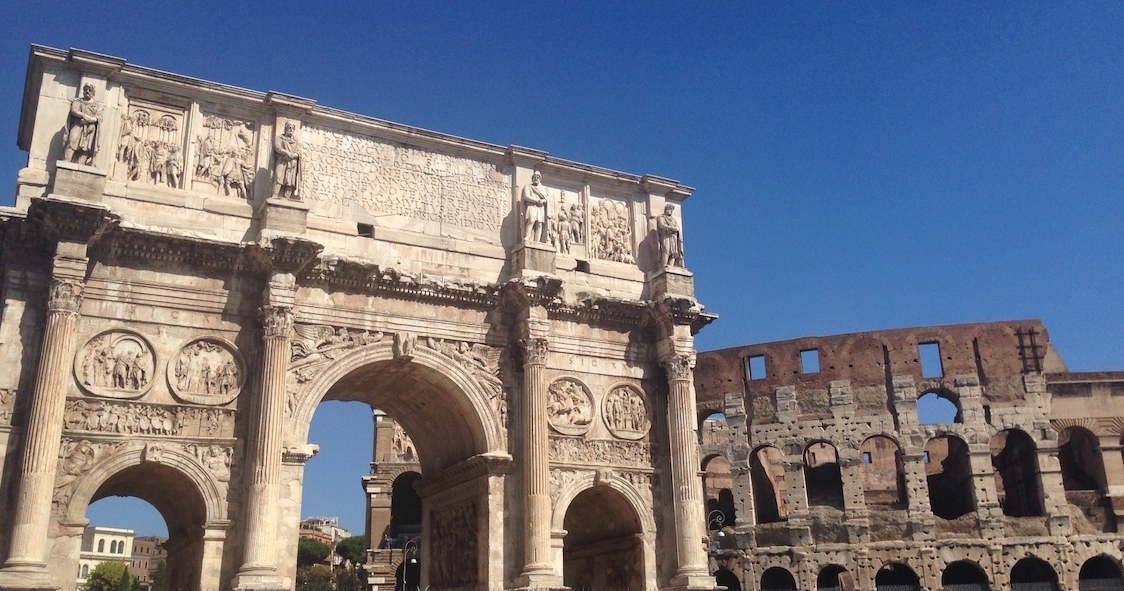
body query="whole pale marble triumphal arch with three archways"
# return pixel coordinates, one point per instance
(191, 269)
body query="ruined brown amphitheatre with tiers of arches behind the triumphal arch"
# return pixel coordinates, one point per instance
(838, 476)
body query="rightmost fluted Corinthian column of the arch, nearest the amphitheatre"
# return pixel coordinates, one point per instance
(692, 566)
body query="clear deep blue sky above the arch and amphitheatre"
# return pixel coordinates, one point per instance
(858, 166)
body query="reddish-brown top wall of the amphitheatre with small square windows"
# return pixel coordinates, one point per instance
(999, 353)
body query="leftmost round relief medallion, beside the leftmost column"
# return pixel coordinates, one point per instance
(116, 365)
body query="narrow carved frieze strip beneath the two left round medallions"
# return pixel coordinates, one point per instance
(135, 419)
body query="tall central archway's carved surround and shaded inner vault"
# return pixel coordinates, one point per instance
(454, 413)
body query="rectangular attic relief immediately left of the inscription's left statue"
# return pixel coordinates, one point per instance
(225, 157)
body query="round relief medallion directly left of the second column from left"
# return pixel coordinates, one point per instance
(206, 371)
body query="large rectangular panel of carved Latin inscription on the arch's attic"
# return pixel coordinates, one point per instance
(393, 180)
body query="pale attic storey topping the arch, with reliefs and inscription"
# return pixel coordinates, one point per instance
(180, 154)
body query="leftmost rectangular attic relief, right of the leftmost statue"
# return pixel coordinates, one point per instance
(150, 146)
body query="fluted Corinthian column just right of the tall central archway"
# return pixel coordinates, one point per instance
(538, 570)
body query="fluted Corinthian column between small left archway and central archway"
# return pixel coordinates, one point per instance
(259, 568)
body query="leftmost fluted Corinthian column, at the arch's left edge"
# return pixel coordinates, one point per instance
(29, 551)
